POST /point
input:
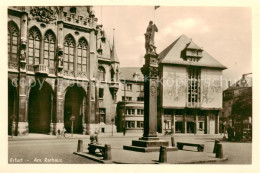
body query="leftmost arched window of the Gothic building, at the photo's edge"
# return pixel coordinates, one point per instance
(13, 33)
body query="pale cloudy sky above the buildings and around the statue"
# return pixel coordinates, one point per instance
(224, 32)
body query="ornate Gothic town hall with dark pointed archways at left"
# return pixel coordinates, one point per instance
(61, 68)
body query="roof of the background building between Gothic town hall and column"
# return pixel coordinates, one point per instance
(131, 74)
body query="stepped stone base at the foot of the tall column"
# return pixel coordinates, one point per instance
(149, 144)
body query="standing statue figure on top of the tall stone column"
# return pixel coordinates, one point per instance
(149, 38)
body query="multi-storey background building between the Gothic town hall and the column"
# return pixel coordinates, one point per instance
(130, 100)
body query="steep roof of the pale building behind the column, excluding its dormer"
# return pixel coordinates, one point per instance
(172, 55)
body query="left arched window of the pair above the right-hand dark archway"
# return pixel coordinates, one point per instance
(69, 49)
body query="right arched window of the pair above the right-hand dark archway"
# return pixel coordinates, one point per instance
(82, 55)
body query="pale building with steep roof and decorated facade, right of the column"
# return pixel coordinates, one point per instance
(190, 89)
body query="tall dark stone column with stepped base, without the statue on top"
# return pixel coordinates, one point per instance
(150, 142)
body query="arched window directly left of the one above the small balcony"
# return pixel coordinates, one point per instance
(34, 46)
